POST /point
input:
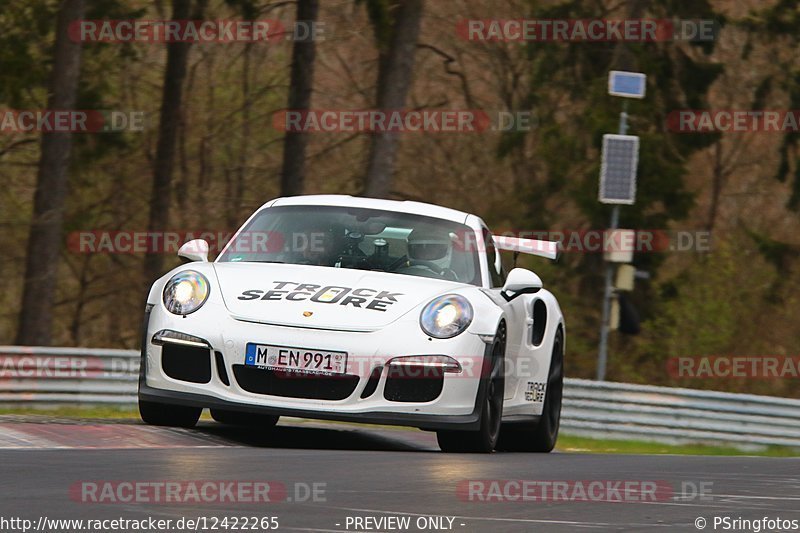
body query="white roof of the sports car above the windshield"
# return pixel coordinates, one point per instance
(340, 200)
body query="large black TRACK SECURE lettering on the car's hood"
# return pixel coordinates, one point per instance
(362, 298)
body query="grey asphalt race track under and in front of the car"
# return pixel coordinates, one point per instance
(78, 470)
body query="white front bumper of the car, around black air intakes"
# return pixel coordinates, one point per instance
(455, 407)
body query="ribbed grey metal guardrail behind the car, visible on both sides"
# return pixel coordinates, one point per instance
(33, 376)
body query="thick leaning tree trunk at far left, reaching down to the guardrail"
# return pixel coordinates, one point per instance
(44, 242)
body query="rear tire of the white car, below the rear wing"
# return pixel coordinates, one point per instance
(540, 436)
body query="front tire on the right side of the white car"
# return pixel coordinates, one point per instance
(485, 438)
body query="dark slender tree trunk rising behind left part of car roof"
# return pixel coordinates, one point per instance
(302, 79)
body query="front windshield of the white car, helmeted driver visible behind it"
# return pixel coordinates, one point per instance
(366, 239)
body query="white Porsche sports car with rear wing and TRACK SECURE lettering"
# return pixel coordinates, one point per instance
(356, 309)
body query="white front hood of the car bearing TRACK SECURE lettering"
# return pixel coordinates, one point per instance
(322, 297)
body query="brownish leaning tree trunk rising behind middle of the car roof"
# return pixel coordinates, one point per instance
(394, 80)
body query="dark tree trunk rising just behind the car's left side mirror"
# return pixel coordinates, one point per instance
(171, 104)
